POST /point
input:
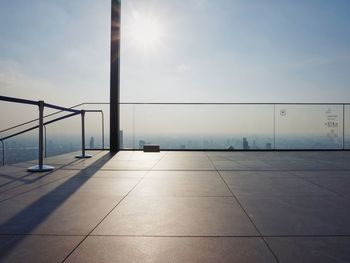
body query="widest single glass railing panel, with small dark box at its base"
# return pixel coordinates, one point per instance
(209, 126)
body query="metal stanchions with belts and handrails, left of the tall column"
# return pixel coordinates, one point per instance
(42, 126)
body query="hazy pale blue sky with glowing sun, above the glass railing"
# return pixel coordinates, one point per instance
(200, 50)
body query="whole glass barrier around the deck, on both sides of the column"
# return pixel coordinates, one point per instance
(191, 127)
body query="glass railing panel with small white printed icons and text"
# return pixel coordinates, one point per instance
(309, 126)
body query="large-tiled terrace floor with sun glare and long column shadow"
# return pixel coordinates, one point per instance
(179, 207)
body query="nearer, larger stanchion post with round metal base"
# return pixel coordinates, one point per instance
(41, 167)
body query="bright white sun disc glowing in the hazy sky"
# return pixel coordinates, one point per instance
(145, 32)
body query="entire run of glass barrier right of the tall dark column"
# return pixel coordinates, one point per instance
(235, 126)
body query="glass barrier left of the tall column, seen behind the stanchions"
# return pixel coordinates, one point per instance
(60, 137)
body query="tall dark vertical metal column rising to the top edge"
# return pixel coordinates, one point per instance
(115, 77)
